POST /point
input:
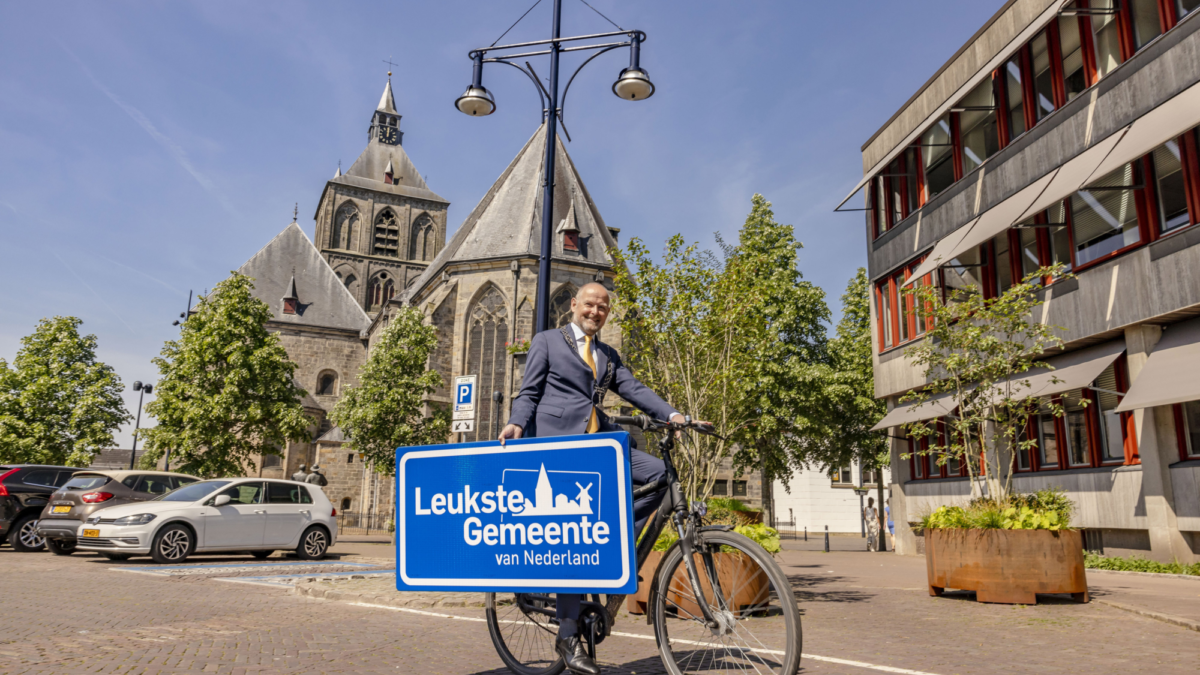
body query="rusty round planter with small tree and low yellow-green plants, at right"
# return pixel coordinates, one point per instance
(1004, 546)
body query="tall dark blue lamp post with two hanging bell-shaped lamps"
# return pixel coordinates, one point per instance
(633, 85)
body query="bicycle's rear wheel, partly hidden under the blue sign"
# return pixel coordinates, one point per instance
(520, 625)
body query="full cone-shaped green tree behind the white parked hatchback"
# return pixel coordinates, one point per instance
(227, 392)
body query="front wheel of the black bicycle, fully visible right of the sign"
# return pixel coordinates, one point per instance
(759, 625)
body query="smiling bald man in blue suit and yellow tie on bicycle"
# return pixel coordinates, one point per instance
(568, 373)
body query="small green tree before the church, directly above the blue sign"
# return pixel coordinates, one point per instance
(387, 410)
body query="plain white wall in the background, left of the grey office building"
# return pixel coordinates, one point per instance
(815, 503)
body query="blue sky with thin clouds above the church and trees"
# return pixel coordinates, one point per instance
(149, 148)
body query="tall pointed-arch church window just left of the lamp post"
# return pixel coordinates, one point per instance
(487, 357)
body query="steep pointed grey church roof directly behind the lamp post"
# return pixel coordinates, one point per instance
(507, 223)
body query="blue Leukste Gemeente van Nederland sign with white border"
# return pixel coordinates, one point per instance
(539, 515)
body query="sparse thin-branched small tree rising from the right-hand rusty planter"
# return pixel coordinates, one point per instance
(979, 353)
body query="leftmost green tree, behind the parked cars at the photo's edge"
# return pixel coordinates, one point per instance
(58, 404)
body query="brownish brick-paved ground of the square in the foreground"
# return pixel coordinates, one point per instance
(75, 614)
